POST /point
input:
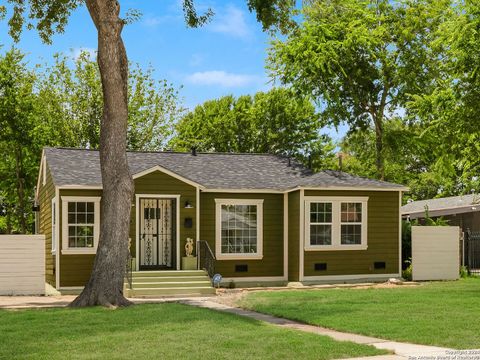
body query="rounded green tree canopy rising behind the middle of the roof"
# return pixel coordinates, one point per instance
(269, 122)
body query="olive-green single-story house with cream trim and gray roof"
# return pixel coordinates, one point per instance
(266, 219)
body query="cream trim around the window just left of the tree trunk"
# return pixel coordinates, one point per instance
(96, 227)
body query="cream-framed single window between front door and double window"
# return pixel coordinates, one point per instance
(239, 233)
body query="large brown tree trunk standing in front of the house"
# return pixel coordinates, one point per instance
(105, 286)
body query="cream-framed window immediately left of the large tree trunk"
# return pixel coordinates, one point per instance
(80, 224)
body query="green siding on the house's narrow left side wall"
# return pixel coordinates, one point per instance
(45, 195)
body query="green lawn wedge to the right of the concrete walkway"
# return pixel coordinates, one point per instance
(441, 313)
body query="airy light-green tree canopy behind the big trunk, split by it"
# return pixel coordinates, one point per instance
(72, 96)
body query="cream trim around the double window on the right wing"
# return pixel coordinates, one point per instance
(336, 222)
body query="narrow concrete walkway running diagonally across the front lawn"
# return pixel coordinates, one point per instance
(401, 350)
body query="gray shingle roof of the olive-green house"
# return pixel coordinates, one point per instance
(209, 170)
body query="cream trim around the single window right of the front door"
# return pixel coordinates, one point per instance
(218, 229)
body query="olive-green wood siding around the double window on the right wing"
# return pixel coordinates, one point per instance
(382, 239)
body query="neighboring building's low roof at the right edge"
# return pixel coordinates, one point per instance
(452, 202)
